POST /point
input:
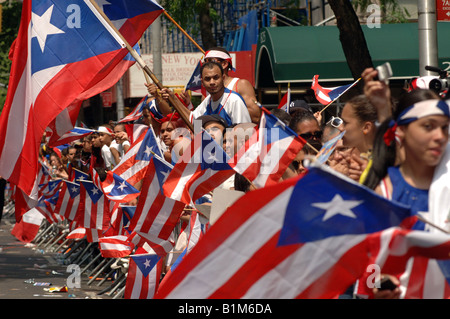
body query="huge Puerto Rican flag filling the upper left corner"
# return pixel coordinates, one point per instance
(45, 59)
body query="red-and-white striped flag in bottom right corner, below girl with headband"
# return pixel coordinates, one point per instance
(419, 259)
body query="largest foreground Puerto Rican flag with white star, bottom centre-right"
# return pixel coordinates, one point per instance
(311, 231)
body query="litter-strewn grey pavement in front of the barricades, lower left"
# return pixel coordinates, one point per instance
(25, 270)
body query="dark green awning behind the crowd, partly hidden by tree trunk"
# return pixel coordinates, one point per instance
(296, 54)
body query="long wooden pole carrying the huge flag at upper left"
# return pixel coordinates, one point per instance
(179, 107)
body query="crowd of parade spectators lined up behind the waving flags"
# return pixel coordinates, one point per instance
(391, 144)
